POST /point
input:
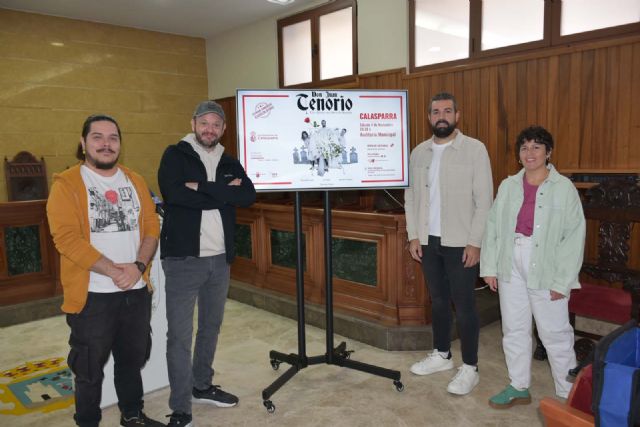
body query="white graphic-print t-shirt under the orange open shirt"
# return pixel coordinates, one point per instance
(114, 209)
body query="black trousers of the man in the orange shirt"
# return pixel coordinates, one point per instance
(116, 322)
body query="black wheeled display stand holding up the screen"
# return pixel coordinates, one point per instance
(339, 355)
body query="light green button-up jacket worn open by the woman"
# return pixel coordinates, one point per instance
(558, 233)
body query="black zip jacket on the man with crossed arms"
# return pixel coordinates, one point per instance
(180, 235)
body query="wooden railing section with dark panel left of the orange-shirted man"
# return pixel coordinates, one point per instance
(29, 267)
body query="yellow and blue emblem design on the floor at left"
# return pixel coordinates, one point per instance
(44, 385)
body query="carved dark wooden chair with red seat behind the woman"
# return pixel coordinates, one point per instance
(610, 288)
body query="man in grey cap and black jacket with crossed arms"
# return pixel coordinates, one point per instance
(201, 187)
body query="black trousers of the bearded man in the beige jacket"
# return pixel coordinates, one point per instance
(448, 280)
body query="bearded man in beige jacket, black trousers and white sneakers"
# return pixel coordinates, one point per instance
(446, 207)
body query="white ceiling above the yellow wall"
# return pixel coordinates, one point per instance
(197, 18)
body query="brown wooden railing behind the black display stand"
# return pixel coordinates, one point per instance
(398, 296)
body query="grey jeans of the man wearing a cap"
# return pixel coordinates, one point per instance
(187, 280)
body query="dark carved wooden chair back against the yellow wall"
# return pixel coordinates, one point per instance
(26, 177)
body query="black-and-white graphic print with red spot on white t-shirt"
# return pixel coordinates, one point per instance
(114, 211)
